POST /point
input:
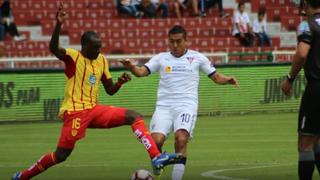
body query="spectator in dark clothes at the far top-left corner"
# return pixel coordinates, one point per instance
(8, 21)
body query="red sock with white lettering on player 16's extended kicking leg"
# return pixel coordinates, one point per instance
(143, 134)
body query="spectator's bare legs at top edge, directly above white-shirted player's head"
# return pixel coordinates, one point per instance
(185, 4)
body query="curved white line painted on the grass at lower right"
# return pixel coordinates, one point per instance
(214, 173)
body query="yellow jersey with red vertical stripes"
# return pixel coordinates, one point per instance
(83, 77)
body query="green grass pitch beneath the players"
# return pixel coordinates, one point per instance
(256, 147)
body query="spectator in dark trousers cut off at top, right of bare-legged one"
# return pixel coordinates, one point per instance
(207, 4)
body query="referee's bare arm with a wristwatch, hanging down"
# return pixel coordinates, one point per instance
(297, 63)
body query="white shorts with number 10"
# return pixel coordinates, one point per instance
(166, 120)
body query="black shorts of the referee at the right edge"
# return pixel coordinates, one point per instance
(309, 114)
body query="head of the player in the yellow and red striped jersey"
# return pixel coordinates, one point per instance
(90, 45)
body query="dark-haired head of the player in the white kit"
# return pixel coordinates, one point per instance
(177, 41)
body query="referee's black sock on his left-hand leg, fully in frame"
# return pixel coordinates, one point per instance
(306, 165)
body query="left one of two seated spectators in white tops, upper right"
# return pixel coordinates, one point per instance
(242, 28)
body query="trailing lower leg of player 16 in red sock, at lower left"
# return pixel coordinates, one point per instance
(43, 163)
